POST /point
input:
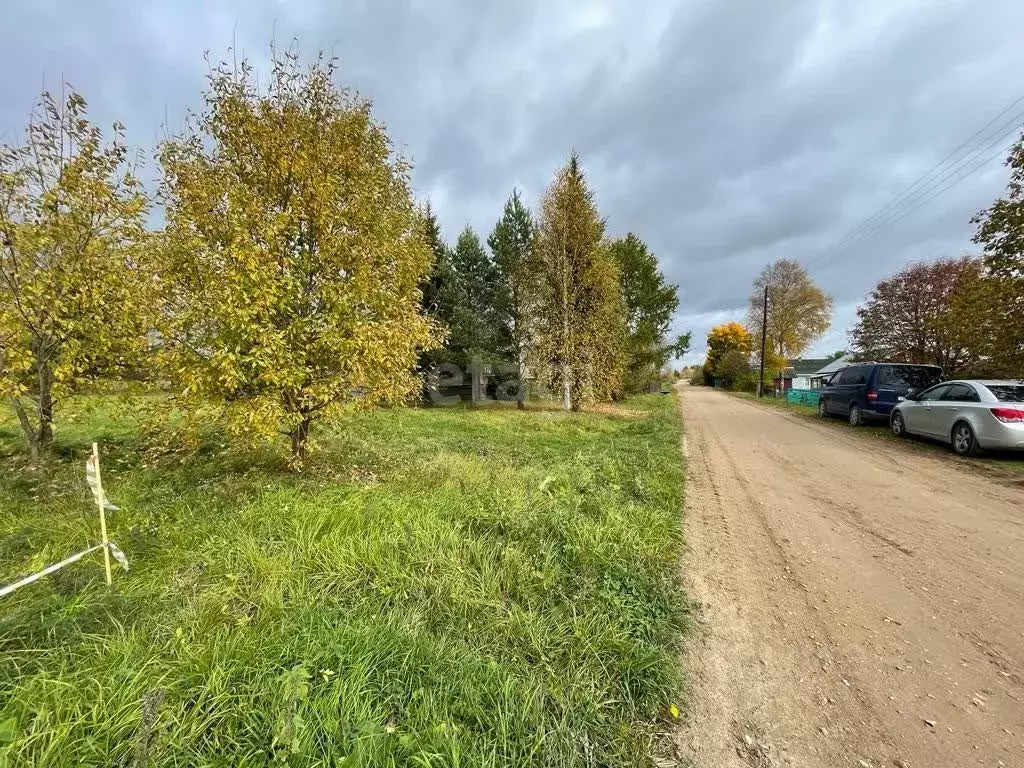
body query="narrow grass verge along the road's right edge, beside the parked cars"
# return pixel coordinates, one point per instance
(1002, 465)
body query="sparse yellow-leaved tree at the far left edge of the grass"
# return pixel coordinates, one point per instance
(73, 296)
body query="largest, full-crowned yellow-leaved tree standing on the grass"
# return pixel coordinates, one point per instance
(293, 253)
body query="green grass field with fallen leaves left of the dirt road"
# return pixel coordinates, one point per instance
(442, 588)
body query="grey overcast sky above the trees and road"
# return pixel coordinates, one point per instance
(727, 135)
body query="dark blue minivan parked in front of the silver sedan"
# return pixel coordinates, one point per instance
(870, 391)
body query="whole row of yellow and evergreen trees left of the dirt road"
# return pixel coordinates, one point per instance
(293, 274)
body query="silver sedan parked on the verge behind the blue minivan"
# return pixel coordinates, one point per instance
(969, 415)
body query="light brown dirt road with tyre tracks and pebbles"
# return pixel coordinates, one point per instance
(863, 604)
